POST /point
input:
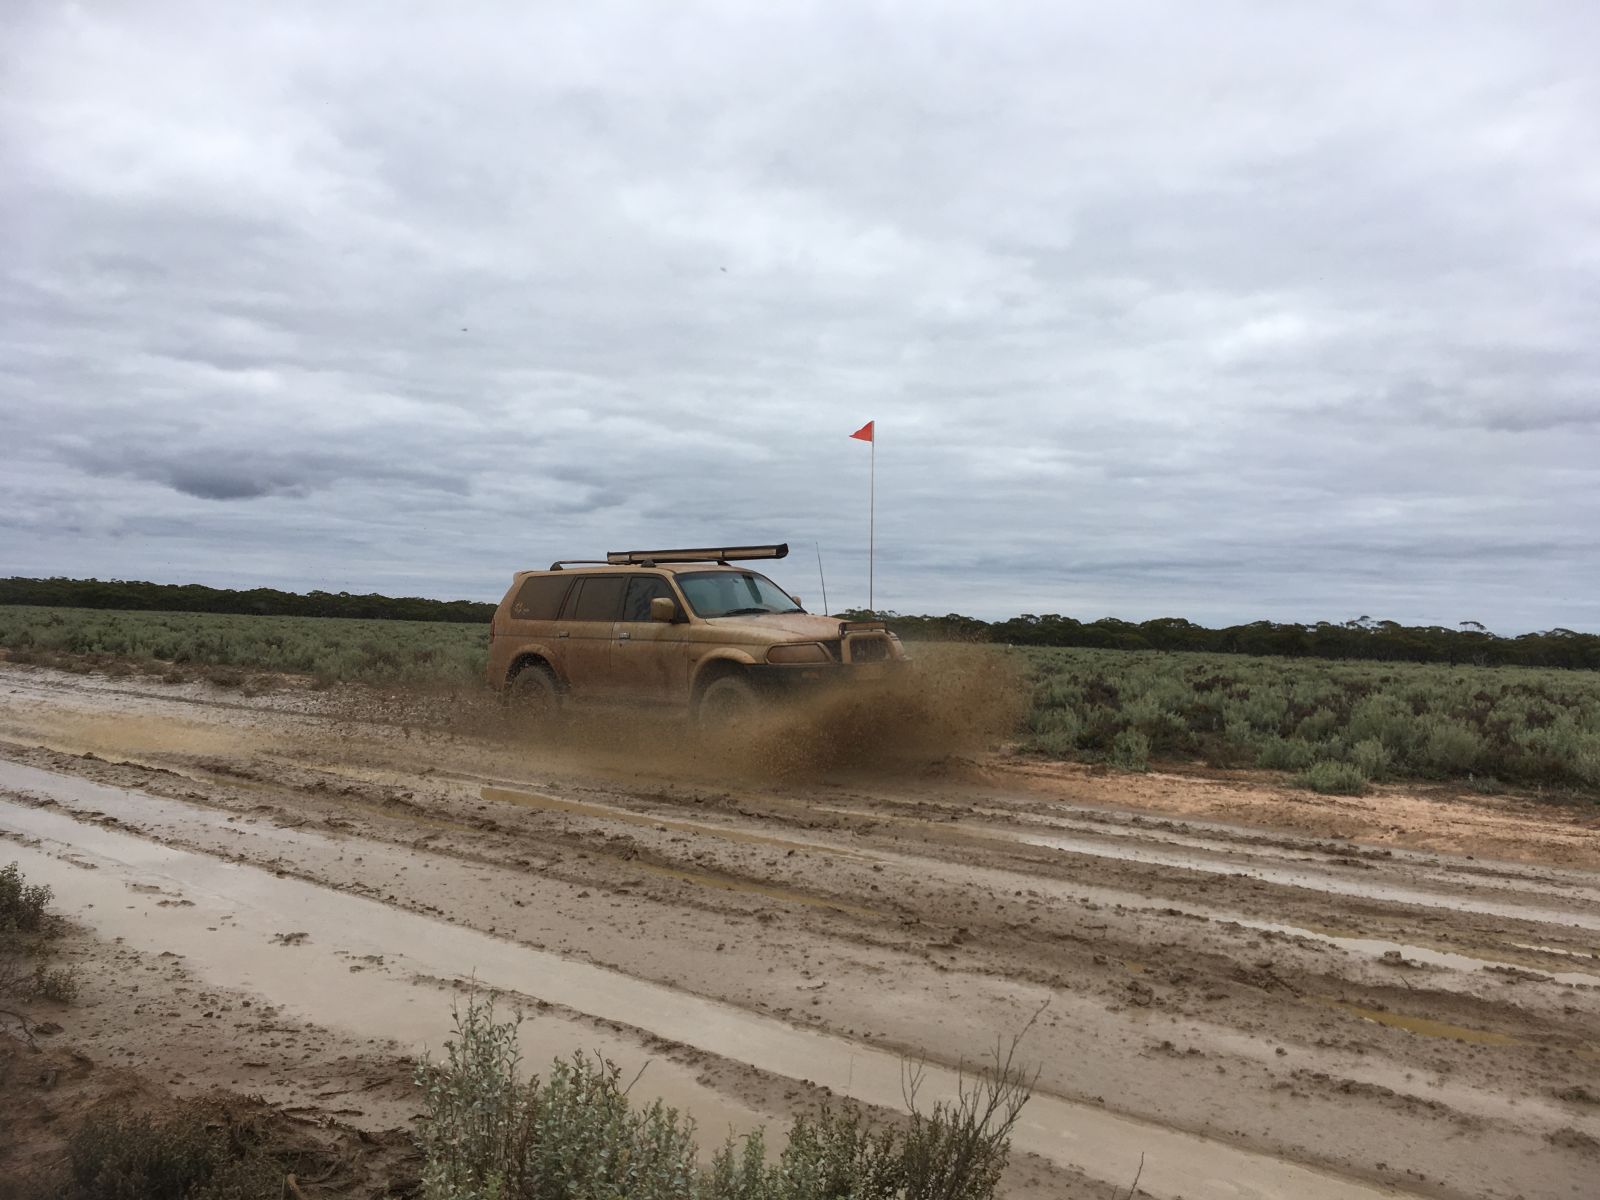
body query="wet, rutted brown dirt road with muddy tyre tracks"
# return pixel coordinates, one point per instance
(1260, 993)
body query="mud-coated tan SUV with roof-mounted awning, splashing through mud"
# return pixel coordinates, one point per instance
(684, 630)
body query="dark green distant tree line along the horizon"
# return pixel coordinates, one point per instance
(1359, 639)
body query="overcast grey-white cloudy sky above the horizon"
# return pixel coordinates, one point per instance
(1196, 310)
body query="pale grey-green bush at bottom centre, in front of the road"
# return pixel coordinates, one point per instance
(575, 1137)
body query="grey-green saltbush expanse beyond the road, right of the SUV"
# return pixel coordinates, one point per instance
(1335, 727)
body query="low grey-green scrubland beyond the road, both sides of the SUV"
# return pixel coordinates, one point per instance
(1337, 727)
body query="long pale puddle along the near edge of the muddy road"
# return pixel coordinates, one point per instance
(238, 954)
